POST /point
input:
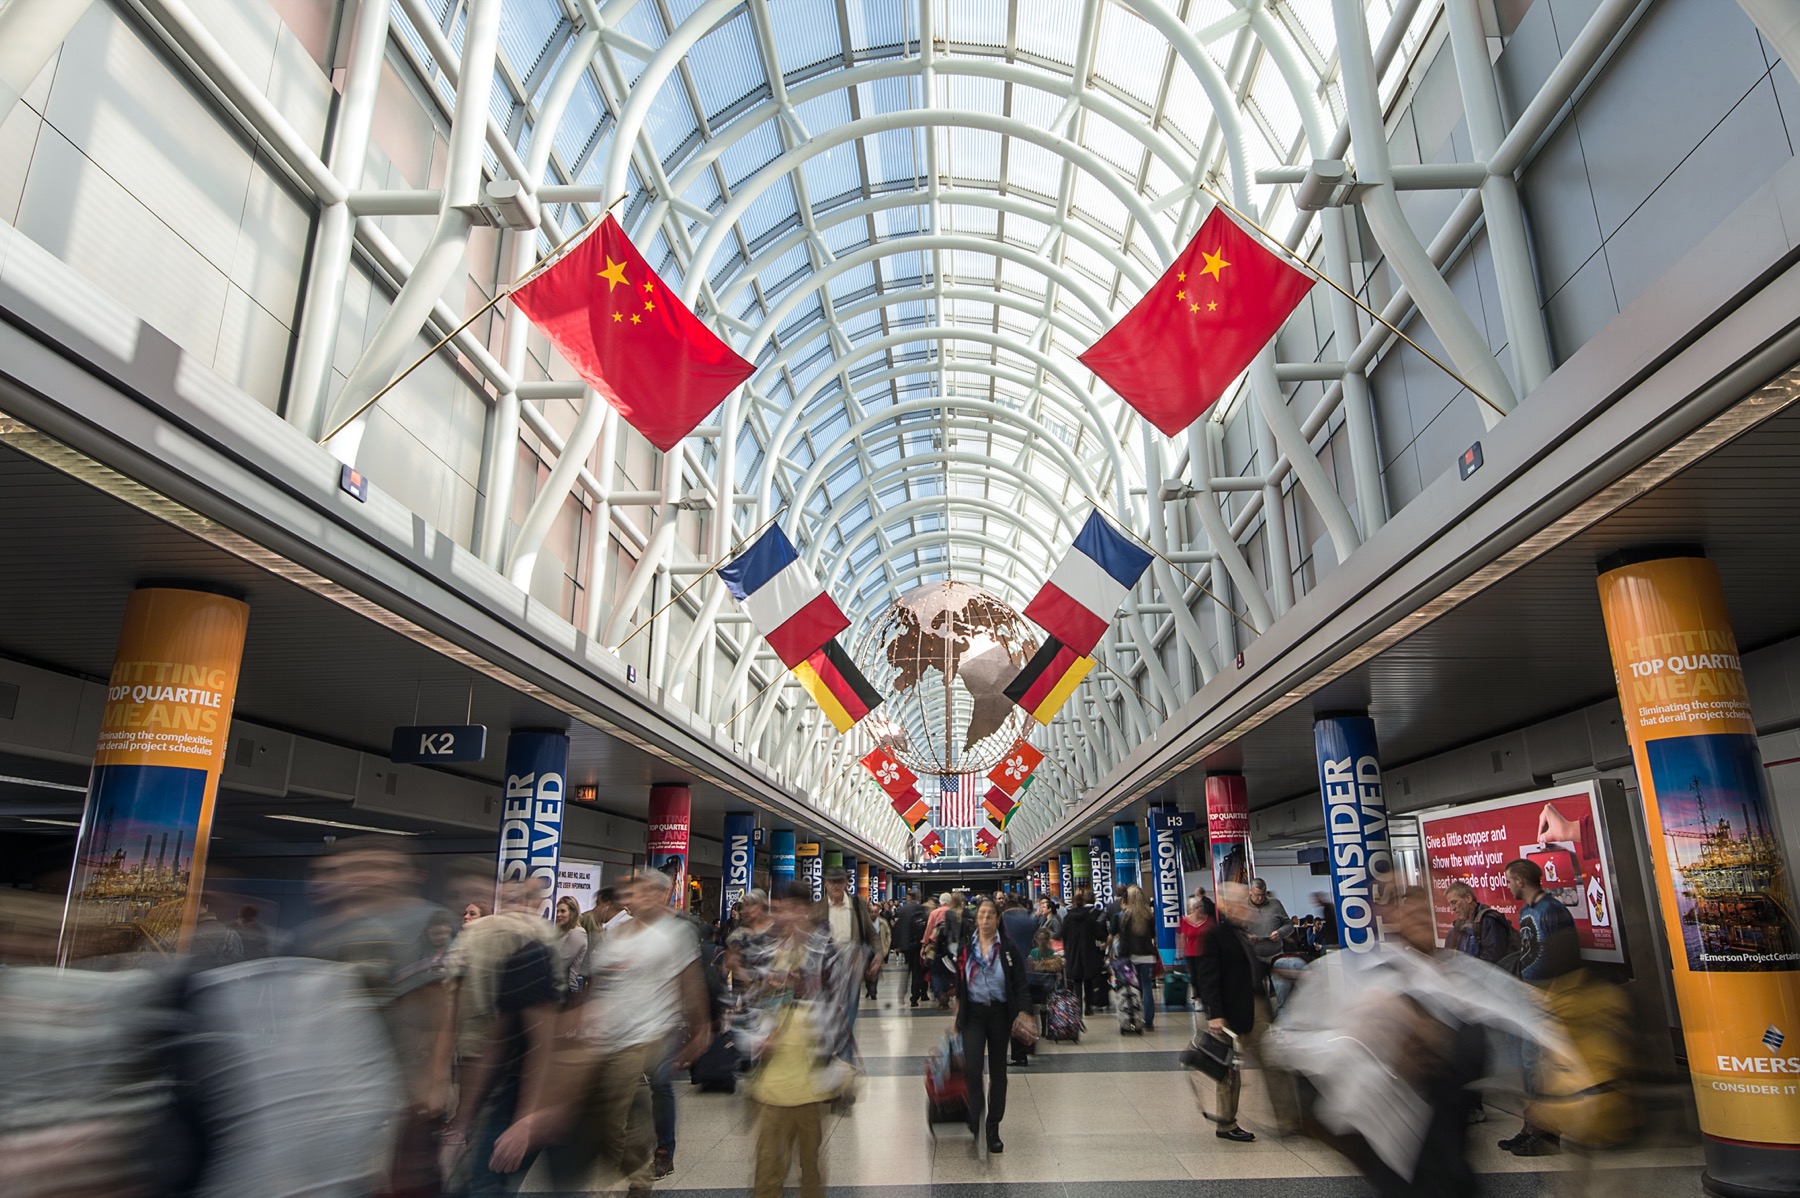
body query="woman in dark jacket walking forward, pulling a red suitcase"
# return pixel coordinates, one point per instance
(991, 997)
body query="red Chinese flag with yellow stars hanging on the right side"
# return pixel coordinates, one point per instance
(1198, 326)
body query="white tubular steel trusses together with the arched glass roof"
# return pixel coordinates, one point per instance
(913, 217)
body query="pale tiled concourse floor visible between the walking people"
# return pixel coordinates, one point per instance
(1084, 1118)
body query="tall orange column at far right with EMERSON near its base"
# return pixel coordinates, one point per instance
(1725, 888)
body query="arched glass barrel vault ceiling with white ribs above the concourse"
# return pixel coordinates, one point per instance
(966, 247)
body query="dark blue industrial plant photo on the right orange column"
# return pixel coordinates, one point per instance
(1731, 881)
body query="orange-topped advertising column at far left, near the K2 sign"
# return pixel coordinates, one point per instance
(141, 855)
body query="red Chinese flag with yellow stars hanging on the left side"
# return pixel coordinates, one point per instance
(633, 339)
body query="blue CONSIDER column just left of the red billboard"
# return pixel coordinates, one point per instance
(1356, 827)
